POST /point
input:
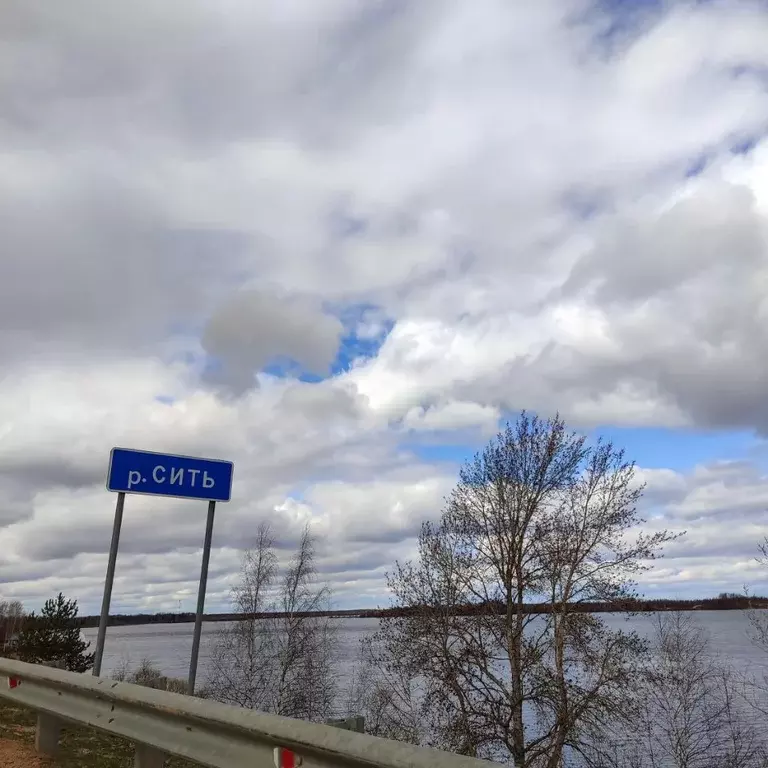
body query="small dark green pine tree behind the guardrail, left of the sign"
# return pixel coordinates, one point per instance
(54, 637)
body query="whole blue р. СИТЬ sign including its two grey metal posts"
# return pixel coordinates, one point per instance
(160, 474)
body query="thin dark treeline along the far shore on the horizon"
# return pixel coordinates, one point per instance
(724, 602)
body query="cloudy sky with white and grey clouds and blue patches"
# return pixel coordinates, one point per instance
(339, 242)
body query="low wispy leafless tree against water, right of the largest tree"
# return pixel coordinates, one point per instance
(689, 710)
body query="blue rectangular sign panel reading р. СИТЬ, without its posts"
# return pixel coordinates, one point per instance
(160, 474)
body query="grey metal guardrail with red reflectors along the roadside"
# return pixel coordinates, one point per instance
(215, 735)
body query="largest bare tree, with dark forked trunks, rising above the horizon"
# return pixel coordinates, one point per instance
(537, 516)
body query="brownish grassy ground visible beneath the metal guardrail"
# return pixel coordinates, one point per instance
(80, 747)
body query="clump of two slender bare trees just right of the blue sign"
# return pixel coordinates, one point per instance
(279, 657)
